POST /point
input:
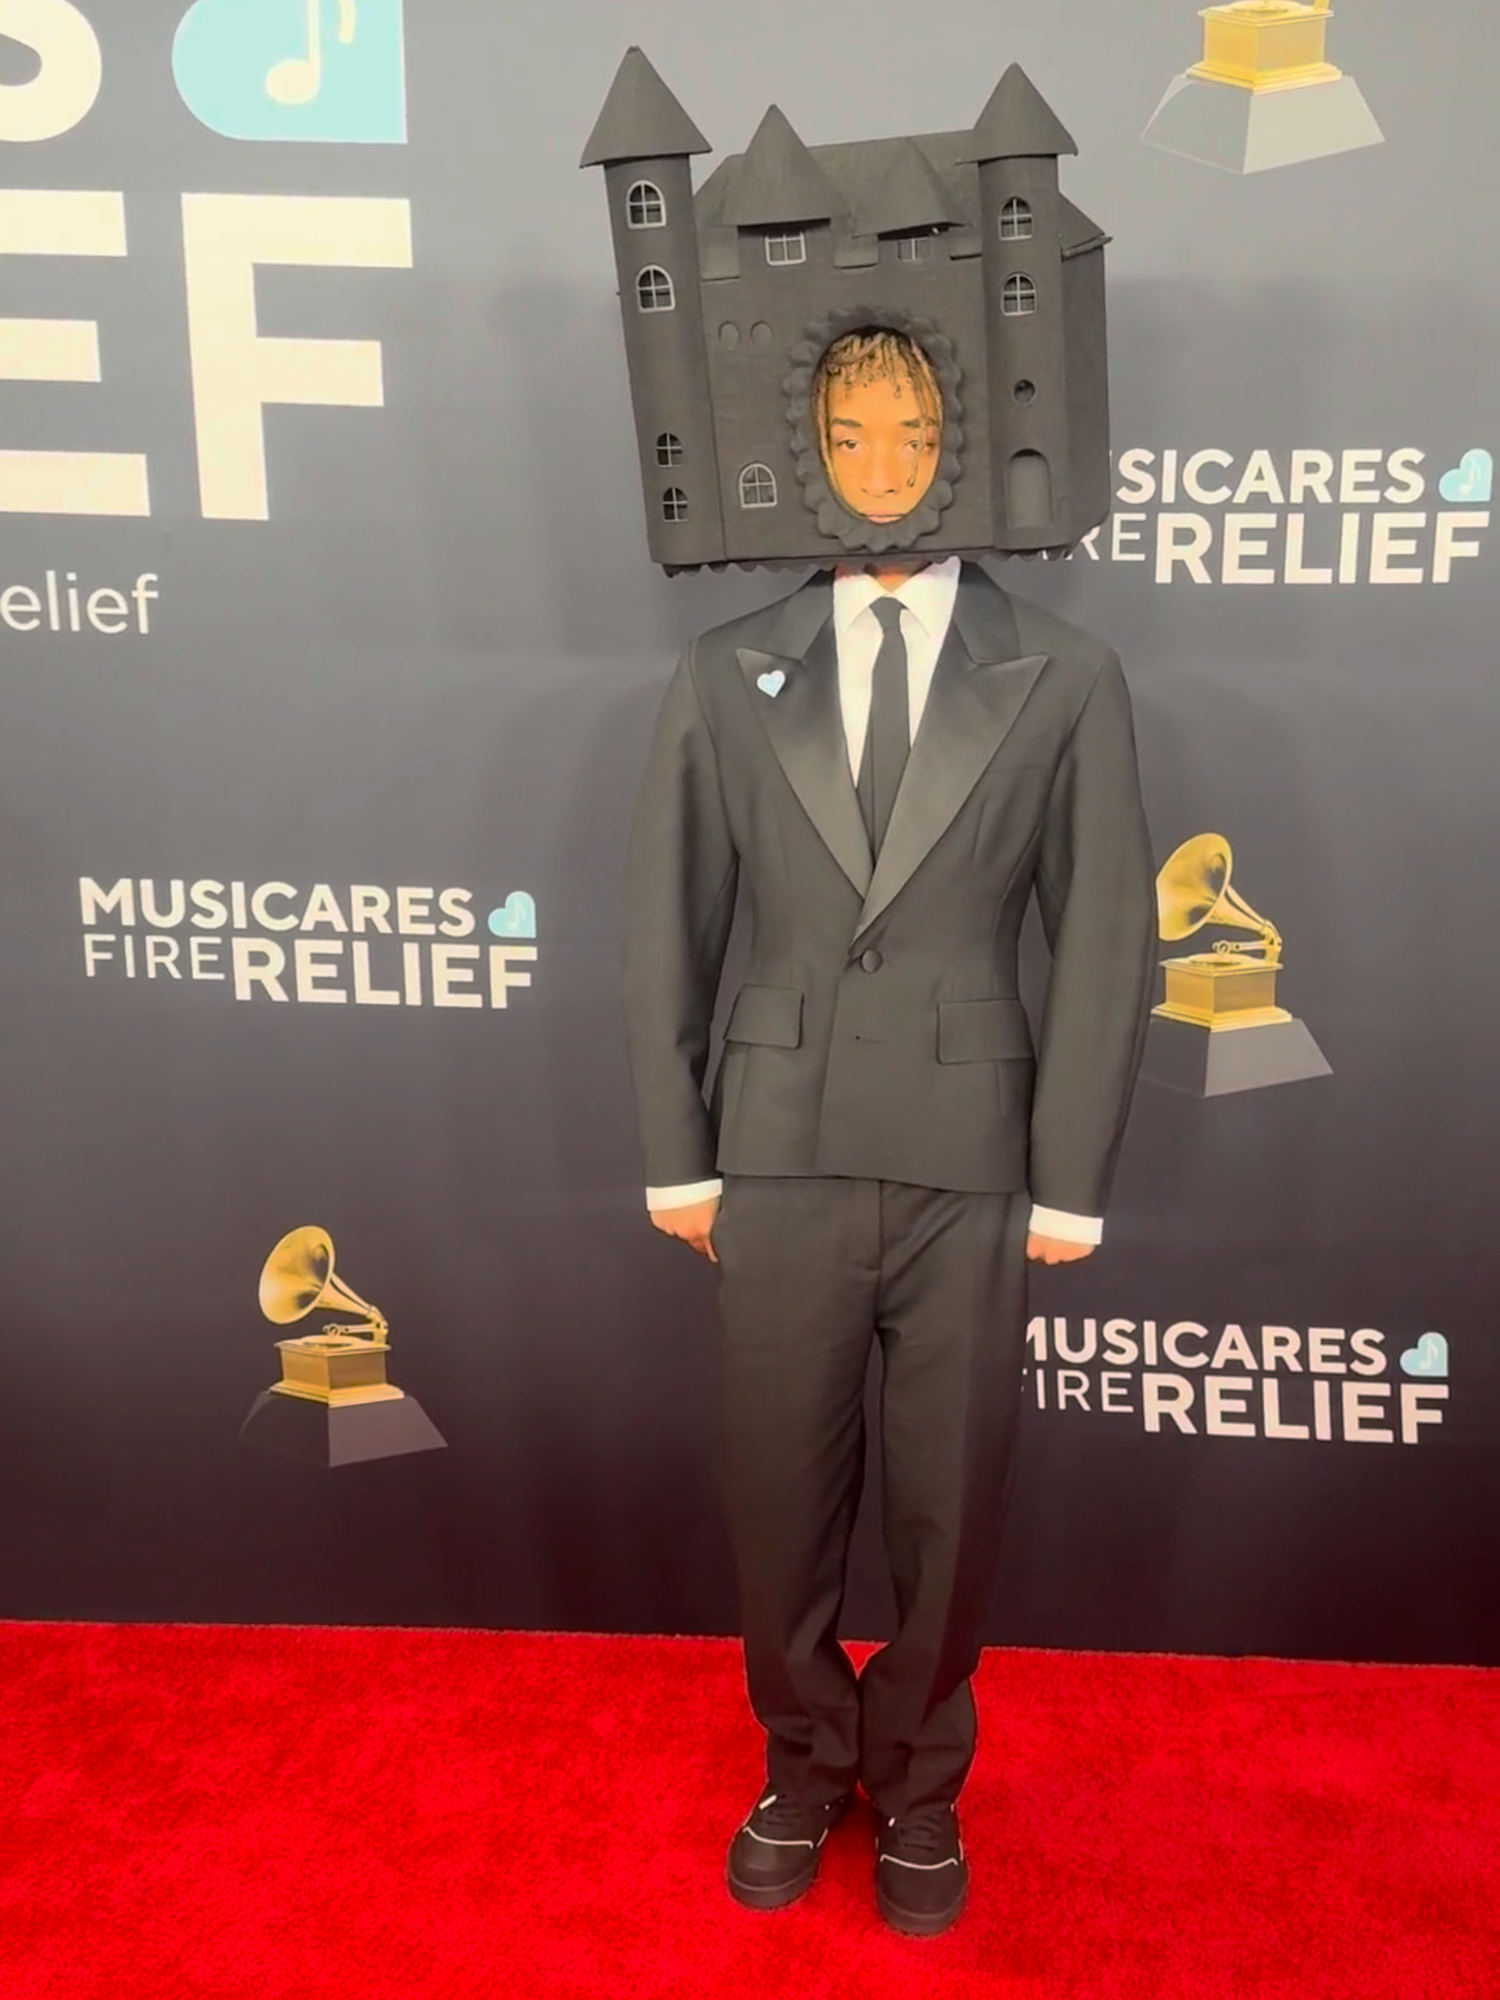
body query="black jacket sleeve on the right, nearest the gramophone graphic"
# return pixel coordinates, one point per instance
(1097, 895)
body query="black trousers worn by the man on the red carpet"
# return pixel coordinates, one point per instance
(813, 1275)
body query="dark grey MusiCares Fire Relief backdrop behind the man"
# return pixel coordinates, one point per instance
(329, 651)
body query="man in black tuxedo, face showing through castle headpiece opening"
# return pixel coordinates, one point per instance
(885, 767)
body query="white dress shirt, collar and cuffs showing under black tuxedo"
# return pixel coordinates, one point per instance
(927, 605)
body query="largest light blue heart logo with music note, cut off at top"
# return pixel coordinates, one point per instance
(295, 69)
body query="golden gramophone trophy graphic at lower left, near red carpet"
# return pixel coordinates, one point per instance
(333, 1405)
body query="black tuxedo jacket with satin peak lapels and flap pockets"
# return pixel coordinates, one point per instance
(879, 1033)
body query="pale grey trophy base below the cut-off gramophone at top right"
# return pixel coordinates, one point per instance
(1255, 131)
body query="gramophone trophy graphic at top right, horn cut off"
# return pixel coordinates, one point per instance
(1265, 93)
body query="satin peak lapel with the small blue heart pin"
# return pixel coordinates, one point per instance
(807, 733)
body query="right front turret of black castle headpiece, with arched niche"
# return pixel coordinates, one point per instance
(1017, 145)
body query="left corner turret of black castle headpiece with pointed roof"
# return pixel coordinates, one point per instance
(645, 143)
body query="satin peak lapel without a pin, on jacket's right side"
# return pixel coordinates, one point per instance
(971, 709)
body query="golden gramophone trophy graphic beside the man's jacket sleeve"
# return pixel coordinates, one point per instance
(1219, 1027)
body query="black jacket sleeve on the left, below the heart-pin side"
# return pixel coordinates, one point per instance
(681, 881)
